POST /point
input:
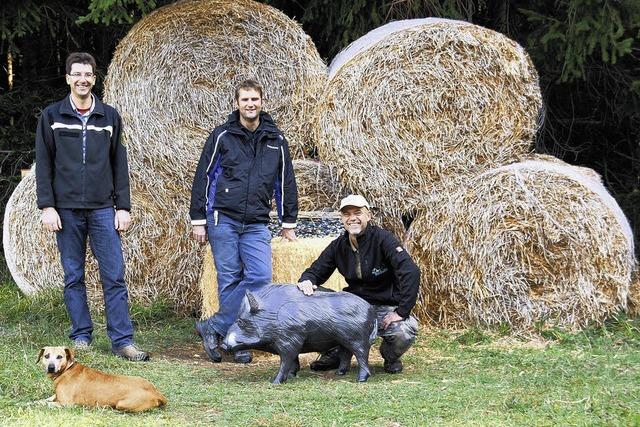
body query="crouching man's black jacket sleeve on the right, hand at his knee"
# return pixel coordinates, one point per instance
(406, 271)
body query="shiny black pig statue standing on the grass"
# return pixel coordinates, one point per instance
(280, 319)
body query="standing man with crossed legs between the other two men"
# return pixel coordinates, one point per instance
(244, 163)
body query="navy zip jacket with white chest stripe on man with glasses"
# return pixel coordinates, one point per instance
(72, 173)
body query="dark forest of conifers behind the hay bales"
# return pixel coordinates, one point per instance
(586, 52)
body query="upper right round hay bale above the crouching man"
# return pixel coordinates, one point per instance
(418, 102)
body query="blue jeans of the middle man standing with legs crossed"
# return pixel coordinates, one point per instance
(242, 256)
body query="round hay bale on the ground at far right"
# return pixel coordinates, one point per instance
(528, 242)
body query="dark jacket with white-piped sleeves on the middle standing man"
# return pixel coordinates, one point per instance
(239, 172)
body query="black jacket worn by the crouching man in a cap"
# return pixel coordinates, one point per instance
(389, 275)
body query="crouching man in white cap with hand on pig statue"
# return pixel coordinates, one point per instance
(377, 269)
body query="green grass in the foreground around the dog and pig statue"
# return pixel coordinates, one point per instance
(474, 377)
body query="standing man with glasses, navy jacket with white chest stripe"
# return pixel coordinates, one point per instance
(82, 180)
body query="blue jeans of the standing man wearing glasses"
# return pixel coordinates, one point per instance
(104, 240)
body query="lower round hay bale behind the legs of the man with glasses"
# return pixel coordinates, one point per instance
(153, 248)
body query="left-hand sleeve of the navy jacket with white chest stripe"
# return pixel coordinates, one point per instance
(45, 159)
